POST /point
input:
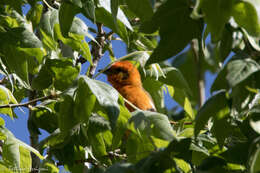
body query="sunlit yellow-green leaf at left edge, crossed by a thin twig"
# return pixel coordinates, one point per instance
(6, 97)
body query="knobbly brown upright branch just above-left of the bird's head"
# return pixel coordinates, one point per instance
(97, 49)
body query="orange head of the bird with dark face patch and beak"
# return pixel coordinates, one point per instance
(123, 73)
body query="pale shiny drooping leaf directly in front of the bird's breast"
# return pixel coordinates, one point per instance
(106, 96)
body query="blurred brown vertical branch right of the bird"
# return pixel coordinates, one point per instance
(196, 49)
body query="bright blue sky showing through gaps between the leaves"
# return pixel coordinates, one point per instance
(19, 126)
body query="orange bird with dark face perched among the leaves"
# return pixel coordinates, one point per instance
(125, 78)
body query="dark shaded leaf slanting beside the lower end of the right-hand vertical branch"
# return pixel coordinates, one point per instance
(210, 109)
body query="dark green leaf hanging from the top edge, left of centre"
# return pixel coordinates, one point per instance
(67, 11)
